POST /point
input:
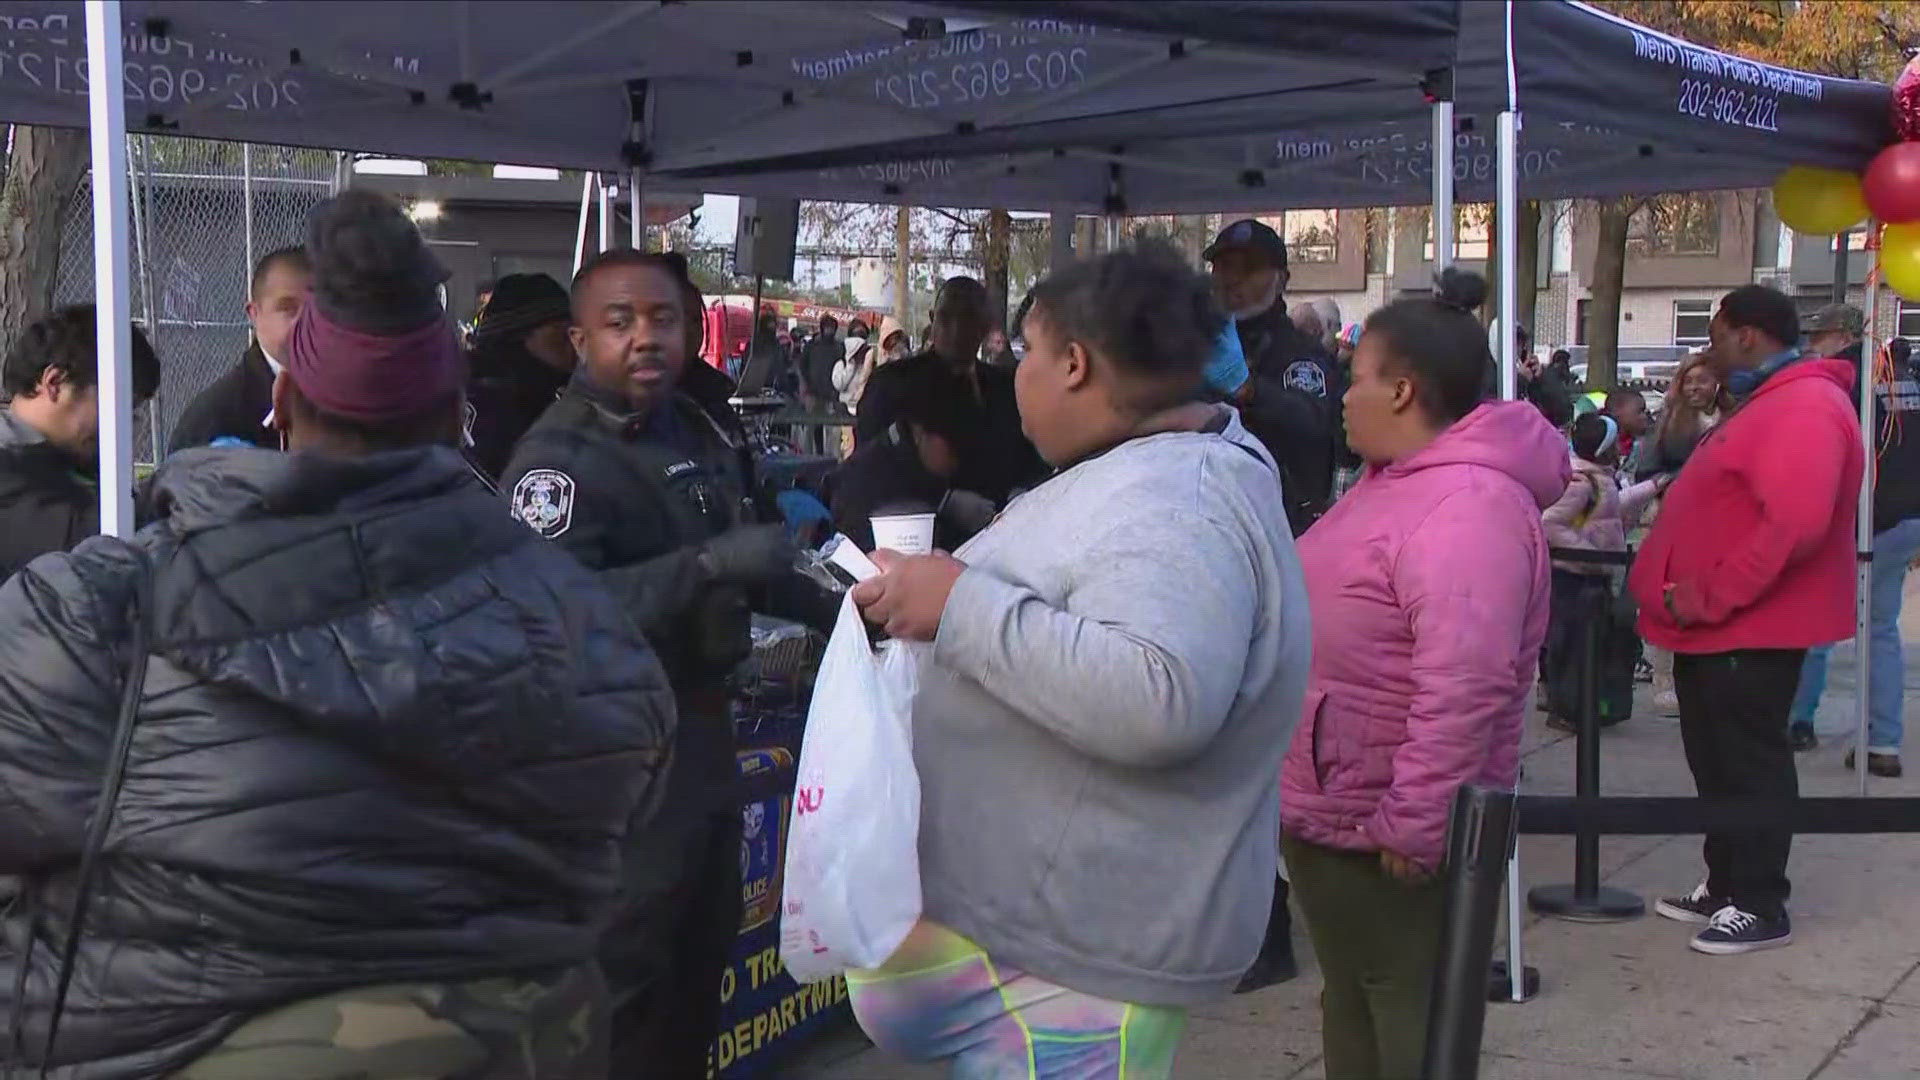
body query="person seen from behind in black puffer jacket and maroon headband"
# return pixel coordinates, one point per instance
(387, 760)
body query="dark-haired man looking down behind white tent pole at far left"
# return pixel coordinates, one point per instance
(51, 433)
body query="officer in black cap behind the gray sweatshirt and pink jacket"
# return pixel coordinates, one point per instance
(1293, 397)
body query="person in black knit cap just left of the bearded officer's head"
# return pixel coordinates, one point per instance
(519, 364)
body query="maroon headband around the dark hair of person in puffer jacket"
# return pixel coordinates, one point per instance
(373, 378)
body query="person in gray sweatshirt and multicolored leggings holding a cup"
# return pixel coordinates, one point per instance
(1115, 674)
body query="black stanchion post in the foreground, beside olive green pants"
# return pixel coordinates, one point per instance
(1479, 841)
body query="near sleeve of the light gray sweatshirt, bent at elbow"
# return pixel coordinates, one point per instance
(1140, 662)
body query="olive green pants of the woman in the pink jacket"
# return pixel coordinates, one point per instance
(1378, 945)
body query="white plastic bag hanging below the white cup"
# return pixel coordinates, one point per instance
(853, 847)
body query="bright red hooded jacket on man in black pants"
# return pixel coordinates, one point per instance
(1758, 531)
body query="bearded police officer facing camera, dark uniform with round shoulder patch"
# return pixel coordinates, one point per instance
(642, 472)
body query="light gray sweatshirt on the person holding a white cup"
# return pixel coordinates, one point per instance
(1101, 725)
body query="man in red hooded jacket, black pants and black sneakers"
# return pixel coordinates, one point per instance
(1748, 566)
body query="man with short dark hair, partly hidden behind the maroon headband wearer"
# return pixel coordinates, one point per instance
(237, 406)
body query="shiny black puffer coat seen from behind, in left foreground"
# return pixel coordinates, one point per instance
(387, 735)
